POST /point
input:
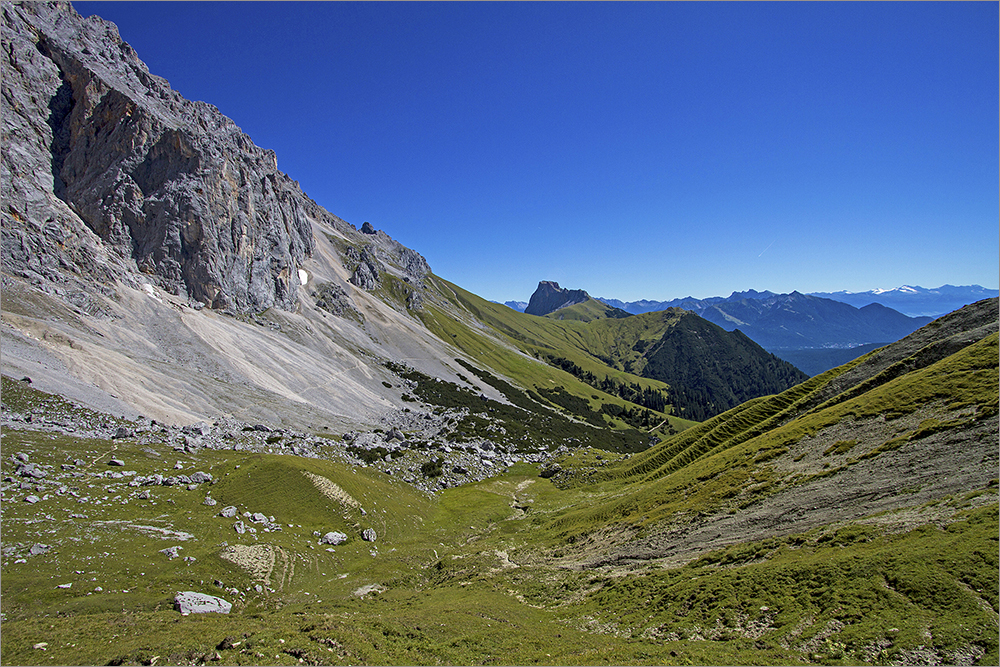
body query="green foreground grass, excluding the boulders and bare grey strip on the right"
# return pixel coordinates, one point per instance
(469, 575)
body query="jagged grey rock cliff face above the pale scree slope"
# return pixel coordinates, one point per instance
(108, 174)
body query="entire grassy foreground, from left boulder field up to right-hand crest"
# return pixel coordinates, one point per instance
(849, 520)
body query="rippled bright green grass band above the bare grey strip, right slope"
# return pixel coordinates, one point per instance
(726, 449)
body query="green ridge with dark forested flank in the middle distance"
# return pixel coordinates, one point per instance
(704, 369)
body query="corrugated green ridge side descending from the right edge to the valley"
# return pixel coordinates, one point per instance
(954, 392)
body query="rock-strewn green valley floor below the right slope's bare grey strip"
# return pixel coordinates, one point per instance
(94, 553)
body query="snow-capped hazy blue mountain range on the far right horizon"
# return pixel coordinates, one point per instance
(916, 301)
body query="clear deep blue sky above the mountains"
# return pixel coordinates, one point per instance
(646, 150)
